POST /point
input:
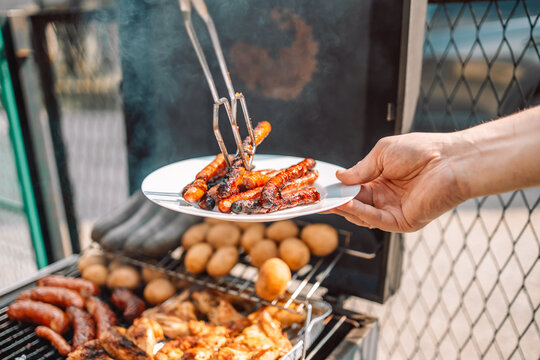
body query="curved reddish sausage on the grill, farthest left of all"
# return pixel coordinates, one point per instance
(39, 313)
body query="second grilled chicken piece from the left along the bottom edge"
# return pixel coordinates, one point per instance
(120, 347)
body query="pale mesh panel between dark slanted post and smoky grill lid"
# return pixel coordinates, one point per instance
(86, 64)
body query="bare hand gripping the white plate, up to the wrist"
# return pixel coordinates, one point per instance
(407, 181)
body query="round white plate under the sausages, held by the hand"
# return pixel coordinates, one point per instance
(164, 185)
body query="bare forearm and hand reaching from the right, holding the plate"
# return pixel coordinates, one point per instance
(409, 180)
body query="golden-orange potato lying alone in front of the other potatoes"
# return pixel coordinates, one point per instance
(273, 278)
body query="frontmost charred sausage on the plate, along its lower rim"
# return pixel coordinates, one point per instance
(287, 200)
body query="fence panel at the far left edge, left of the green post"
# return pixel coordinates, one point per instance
(17, 255)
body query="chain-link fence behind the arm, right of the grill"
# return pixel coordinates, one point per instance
(471, 280)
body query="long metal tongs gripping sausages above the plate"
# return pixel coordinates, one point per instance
(230, 105)
